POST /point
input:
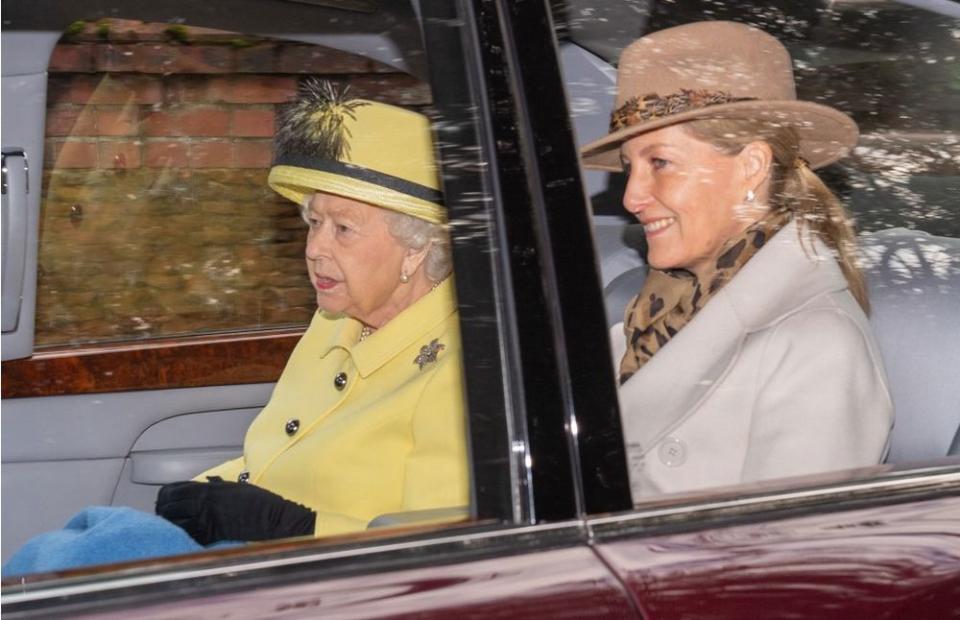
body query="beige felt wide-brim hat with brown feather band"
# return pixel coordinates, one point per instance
(721, 70)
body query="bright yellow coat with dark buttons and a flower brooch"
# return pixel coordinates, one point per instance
(391, 439)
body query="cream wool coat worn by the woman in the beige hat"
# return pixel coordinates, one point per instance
(778, 375)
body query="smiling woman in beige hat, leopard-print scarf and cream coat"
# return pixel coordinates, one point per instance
(747, 354)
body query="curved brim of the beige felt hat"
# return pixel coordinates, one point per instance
(826, 134)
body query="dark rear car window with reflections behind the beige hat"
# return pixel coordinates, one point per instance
(893, 69)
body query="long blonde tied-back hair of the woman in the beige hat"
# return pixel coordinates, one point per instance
(793, 187)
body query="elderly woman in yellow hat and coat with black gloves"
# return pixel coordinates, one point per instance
(368, 416)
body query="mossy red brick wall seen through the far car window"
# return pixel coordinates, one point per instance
(156, 218)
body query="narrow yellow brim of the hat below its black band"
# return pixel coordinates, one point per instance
(295, 183)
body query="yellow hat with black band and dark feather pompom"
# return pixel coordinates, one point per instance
(364, 150)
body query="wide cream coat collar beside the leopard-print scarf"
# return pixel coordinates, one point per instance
(783, 276)
